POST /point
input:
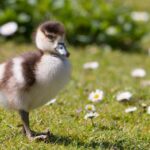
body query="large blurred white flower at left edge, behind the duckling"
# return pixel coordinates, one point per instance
(9, 28)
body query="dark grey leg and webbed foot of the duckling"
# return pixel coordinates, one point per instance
(28, 132)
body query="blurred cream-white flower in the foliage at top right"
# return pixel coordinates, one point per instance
(140, 16)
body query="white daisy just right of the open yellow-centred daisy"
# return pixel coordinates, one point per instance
(123, 96)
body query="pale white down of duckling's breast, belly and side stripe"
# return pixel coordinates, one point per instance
(52, 74)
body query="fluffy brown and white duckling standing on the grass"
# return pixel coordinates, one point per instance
(32, 79)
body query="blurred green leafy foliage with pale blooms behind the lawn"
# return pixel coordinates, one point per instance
(116, 23)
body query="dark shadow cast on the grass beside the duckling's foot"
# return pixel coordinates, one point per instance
(66, 141)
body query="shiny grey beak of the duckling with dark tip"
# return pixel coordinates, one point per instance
(61, 49)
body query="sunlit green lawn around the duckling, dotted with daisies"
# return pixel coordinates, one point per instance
(114, 128)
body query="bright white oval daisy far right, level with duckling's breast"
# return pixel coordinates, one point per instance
(138, 73)
